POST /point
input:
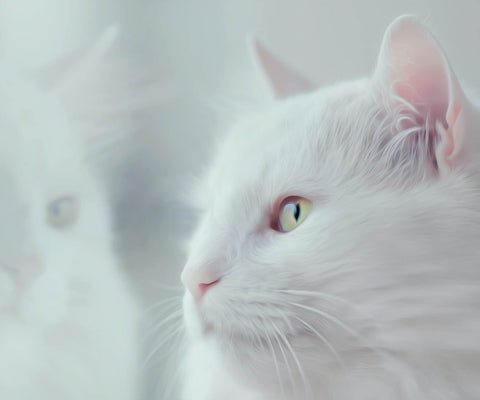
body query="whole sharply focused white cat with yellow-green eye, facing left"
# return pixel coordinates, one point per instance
(337, 256)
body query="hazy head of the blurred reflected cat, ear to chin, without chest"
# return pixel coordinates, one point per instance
(55, 232)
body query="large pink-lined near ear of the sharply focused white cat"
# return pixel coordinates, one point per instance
(413, 68)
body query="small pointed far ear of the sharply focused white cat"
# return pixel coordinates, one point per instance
(283, 80)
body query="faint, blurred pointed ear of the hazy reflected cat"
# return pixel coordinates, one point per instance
(72, 69)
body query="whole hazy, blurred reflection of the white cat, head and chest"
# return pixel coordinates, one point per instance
(67, 319)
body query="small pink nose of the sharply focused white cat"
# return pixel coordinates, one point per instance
(198, 279)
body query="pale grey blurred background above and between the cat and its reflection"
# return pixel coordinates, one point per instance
(196, 52)
